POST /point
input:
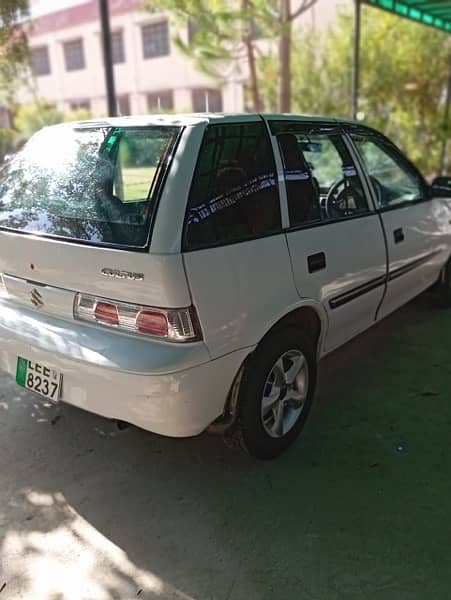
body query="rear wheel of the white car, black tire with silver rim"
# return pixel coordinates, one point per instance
(259, 429)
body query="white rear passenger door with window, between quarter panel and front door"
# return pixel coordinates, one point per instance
(335, 237)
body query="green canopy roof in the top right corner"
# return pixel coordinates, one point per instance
(429, 12)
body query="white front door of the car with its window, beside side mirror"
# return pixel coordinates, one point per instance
(417, 239)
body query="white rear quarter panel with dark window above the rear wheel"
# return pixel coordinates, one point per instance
(234, 249)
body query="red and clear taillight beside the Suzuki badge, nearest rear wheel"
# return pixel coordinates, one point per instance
(177, 325)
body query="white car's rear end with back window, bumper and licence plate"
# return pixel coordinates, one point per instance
(95, 307)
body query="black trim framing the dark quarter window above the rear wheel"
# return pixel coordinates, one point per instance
(184, 247)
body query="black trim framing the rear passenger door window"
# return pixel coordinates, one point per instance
(325, 127)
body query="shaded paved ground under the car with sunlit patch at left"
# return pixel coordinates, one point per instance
(359, 509)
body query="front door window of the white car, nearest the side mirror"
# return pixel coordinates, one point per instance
(394, 180)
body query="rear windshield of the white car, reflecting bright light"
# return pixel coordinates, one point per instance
(96, 185)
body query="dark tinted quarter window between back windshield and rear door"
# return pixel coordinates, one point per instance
(234, 195)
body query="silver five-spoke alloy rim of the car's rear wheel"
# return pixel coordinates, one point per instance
(285, 393)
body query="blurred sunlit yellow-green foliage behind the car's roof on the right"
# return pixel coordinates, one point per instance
(400, 93)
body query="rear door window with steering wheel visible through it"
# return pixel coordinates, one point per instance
(321, 180)
